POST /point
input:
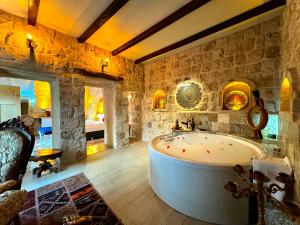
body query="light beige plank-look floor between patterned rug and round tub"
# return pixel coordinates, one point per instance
(120, 176)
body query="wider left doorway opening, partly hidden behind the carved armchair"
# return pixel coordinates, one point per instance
(31, 101)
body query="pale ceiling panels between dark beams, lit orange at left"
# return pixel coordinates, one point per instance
(73, 17)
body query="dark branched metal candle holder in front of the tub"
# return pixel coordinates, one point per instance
(289, 208)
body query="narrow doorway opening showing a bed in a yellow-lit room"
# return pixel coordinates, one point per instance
(94, 119)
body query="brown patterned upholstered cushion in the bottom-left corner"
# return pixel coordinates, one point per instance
(11, 203)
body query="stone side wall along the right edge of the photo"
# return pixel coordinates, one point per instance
(290, 68)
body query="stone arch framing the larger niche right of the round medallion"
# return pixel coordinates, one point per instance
(247, 82)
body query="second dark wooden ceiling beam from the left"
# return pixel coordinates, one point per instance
(111, 10)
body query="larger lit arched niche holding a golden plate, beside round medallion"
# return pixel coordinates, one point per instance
(236, 96)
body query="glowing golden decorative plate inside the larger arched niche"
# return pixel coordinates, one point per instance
(236, 100)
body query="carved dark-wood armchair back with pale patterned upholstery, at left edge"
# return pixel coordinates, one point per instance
(16, 145)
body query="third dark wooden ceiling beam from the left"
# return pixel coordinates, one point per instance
(178, 14)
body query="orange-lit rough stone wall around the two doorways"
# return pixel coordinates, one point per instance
(59, 54)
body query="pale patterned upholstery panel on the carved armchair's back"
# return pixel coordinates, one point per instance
(11, 144)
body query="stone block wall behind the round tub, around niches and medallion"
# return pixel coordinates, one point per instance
(251, 55)
